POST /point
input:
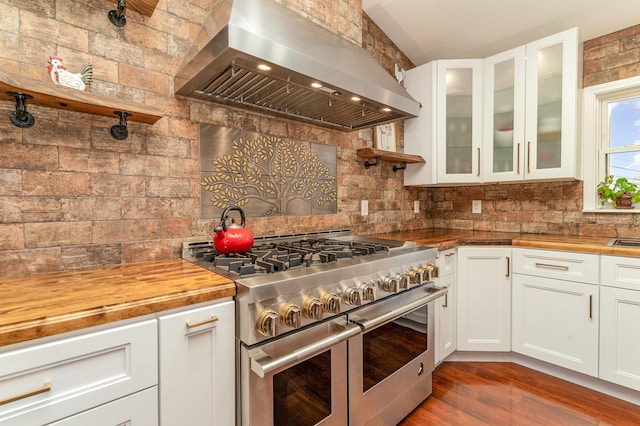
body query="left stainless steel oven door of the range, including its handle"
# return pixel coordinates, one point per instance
(298, 379)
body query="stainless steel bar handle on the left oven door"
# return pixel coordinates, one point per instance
(266, 365)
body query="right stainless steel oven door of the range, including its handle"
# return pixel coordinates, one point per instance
(391, 361)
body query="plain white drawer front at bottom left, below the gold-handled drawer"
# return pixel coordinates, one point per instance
(139, 409)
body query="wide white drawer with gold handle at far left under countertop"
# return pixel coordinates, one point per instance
(77, 373)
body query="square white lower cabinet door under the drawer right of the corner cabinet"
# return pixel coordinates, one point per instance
(556, 321)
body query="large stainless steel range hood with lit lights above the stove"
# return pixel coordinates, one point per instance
(241, 35)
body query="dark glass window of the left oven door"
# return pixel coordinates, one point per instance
(302, 393)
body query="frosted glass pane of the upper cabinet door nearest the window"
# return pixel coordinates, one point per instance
(549, 107)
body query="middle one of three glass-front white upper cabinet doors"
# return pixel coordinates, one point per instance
(503, 133)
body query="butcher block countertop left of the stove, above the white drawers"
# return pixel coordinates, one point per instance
(43, 305)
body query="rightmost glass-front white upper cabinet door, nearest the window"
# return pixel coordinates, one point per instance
(551, 107)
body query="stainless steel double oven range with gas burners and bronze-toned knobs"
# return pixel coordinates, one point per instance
(331, 329)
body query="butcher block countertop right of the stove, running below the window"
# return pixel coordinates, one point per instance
(450, 238)
